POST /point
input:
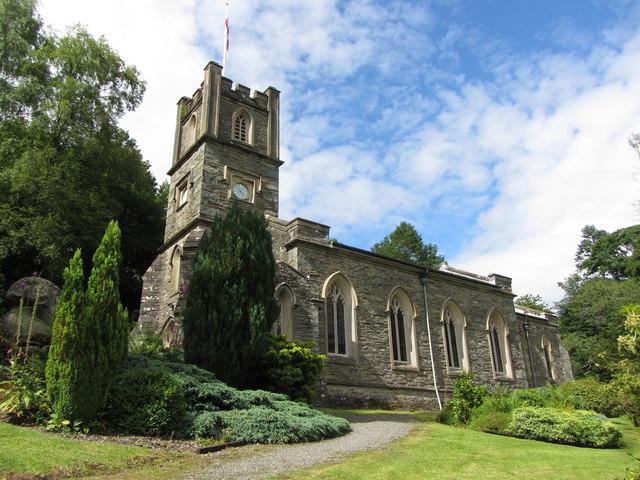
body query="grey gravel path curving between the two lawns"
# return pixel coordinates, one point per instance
(370, 431)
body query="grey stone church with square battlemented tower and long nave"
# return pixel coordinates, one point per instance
(394, 334)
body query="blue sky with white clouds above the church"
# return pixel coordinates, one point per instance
(498, 128)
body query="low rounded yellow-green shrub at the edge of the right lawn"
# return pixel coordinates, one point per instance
(579, 428)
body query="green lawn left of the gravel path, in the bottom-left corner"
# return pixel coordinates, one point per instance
(27, 453)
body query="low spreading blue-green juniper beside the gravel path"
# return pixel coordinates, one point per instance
(219, 411)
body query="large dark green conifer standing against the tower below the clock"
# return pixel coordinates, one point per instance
(230, 305)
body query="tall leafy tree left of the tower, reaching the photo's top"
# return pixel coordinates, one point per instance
(66, 168)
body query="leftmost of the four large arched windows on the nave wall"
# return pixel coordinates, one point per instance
(340, 302)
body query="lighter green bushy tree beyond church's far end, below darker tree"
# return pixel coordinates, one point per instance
(590, 321)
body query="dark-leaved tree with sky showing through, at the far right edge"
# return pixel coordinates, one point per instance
(609, 255)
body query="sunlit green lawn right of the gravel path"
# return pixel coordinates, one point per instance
(441, 452)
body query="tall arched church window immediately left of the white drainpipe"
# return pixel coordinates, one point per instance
(402, 329)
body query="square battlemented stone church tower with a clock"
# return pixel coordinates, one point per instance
(226, 148)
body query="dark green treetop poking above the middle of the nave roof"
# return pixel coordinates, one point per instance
(405, 243)
